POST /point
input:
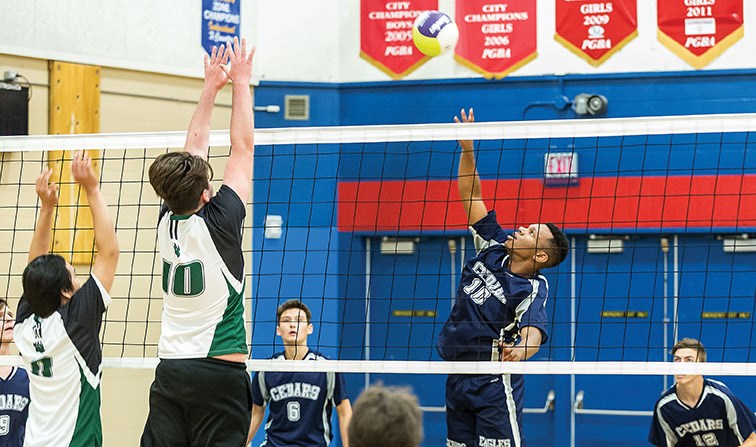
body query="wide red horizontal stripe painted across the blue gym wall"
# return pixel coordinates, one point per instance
(724, 201)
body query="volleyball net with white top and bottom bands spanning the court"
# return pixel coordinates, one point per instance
(365, 226)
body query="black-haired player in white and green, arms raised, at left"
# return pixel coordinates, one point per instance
(58, 324)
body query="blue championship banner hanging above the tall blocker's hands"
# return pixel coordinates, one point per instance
(220, 22)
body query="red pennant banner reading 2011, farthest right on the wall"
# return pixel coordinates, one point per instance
(698, 31)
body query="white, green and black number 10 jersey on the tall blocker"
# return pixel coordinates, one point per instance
(203, 280)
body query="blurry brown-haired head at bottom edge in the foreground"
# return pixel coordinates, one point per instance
(386, 416)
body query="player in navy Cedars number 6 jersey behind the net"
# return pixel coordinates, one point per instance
(300, 403)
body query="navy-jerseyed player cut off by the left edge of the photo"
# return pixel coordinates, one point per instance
(14, 389)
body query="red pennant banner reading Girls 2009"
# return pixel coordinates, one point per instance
(595, 30)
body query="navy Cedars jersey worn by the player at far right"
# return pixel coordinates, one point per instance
(719, 419)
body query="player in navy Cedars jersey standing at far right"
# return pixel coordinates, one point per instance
(697, 411)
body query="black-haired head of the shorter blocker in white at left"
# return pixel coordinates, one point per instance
(49, 282)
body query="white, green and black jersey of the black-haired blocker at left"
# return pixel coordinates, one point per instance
(63, 356)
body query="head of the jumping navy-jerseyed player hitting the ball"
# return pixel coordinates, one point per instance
(545, 244)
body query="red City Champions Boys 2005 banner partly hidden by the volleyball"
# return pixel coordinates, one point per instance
(386, 35)
